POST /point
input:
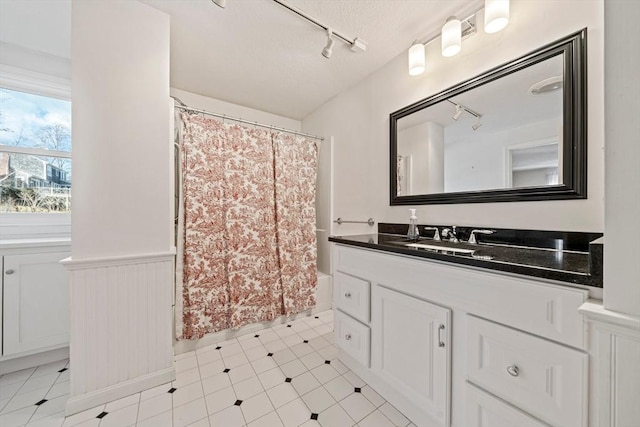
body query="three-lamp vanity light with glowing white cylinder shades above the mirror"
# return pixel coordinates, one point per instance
(496, 17)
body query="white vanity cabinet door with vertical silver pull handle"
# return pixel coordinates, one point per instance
(410, 350)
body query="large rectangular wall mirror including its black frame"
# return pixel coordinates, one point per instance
(514, 133)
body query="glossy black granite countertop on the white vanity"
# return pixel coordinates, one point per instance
(572, 266)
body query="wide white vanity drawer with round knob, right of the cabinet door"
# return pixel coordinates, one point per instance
(545, 379)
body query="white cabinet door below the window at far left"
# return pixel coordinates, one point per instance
(36, 302)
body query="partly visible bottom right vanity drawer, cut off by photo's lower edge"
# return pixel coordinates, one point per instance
(486, 410)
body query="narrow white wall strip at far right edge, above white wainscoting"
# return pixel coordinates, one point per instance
(622, 208)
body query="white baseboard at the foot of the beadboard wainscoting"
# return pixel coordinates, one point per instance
(90, 400)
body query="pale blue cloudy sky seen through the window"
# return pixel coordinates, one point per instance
(24, 115)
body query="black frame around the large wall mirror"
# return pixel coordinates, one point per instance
(574, 49)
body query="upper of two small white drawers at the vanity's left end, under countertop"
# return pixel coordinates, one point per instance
(352, 296)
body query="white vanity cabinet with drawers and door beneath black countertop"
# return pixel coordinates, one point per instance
(460, 346)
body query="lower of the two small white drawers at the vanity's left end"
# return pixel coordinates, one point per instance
(352, 337)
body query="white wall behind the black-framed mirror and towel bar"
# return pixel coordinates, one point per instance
(359, 121)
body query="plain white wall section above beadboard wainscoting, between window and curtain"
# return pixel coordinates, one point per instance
(121, 130)
